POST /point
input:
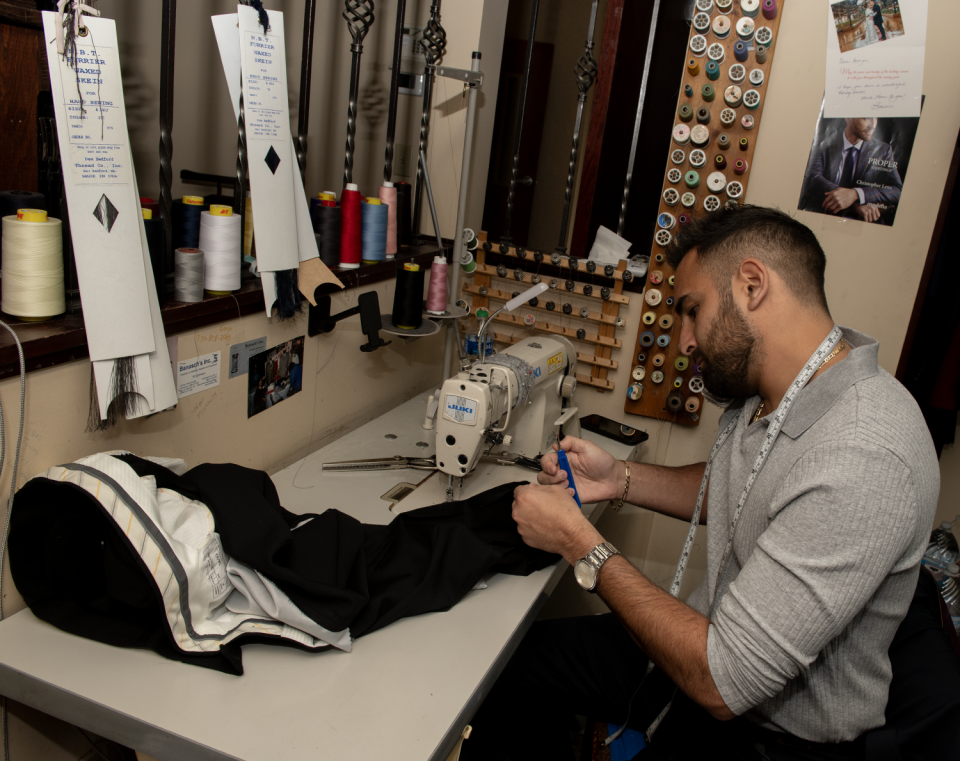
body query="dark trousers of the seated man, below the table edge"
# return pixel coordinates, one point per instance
(590, 666)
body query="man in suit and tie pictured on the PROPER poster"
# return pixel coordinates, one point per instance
(855, 176)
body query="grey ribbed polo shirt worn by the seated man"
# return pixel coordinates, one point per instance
(826, 552)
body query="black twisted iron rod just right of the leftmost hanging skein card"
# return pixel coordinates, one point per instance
(168, 44)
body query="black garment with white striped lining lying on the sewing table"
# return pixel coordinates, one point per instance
(126, 551)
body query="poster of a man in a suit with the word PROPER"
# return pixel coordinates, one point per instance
(857, 167)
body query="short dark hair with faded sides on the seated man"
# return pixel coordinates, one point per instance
(724, 238)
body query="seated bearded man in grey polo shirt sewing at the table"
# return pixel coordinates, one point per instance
(818, 499)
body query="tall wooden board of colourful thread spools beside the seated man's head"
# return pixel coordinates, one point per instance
(718, 25)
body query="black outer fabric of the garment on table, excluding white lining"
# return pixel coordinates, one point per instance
(76, 569)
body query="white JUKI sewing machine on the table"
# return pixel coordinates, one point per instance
(515, 401)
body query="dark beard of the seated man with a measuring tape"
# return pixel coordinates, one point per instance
(731, 348)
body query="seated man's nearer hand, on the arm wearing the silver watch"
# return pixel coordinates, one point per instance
(549, 519)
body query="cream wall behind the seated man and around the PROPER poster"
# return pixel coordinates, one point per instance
(872, 272)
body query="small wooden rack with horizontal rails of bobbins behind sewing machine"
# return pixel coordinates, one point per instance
(490, 289)
